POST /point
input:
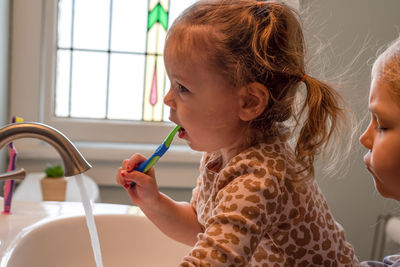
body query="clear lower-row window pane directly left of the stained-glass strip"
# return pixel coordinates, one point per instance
(126, 87)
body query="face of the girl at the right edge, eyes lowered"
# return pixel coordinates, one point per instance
(382, 138)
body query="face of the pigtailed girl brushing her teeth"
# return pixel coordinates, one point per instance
(203, 103)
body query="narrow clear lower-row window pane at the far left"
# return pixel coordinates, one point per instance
(62, 92)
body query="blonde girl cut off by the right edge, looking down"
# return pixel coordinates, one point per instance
(382, 137)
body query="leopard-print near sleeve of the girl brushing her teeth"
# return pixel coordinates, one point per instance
(237, 225)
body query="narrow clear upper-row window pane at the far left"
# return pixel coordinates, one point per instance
(64, 23)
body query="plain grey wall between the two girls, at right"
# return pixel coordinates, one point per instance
(348, 26)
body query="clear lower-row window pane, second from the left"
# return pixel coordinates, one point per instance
(89, 84)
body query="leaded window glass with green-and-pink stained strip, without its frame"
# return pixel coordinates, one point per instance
(114, 59)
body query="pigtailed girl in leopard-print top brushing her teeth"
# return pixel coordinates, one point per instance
(235, 67)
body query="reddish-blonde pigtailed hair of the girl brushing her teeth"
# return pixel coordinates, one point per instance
(249, 41)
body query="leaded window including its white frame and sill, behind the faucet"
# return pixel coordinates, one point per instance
(103, 85)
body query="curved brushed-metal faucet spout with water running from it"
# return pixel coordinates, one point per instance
(74, 162)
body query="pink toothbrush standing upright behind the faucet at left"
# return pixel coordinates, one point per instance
(9, 184)
